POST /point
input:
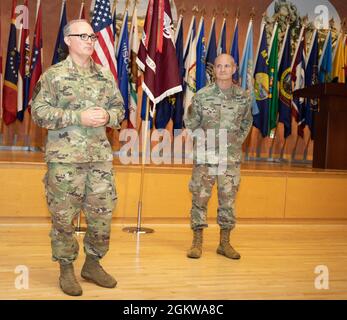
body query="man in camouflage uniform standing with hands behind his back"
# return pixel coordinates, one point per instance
(220, 106)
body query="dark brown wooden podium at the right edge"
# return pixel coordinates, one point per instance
(330, 140)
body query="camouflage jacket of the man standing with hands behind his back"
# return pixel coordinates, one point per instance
(215, 109)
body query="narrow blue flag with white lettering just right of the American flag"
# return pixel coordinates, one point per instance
(123, 64)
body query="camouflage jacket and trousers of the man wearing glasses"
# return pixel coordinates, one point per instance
(79, 158)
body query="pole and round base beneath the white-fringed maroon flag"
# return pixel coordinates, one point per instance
(138, 228)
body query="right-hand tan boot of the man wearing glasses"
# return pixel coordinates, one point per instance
(93, 271)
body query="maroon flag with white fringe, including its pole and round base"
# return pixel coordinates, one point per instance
(159, 48)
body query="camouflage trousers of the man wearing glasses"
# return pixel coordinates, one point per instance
(71, 188)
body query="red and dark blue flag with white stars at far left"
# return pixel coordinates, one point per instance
(11, 74)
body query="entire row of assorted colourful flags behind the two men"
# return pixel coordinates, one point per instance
(171, 82)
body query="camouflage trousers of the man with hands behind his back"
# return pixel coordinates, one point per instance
(201, 184)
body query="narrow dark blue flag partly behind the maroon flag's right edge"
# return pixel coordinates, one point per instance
(177, 115)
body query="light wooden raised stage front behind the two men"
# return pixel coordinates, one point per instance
(268, 191)
